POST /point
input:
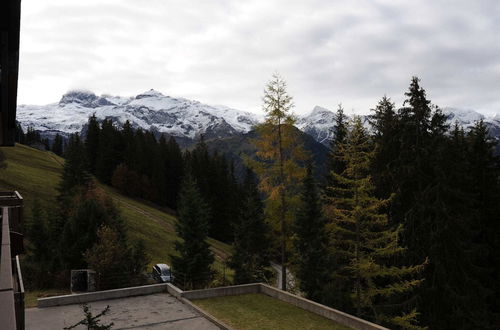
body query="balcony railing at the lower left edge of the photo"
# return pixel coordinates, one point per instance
(11, 282)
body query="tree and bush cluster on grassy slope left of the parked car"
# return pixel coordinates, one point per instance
(85, 230)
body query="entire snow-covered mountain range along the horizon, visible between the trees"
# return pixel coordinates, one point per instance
(182, 118)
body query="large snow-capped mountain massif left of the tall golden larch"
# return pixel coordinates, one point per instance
(151, 110)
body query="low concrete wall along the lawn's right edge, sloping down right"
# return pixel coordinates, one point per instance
(311, 306)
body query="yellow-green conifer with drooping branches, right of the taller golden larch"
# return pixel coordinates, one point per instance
(364, 243)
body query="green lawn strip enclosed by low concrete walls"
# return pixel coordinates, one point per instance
(258, 311)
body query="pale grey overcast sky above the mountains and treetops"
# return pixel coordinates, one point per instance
(224, 51)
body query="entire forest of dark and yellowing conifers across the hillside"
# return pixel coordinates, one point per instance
(402, 230)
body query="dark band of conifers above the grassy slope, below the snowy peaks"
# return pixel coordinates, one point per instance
(140, 165)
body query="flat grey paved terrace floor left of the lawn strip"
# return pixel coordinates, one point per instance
(155, 311)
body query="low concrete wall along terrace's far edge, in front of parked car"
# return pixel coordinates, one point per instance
(101, 295)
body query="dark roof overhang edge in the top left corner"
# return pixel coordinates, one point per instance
(10, 17)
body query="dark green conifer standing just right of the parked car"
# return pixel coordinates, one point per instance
(192, 265)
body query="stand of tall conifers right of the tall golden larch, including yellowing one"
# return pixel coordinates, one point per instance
(442, 187)
